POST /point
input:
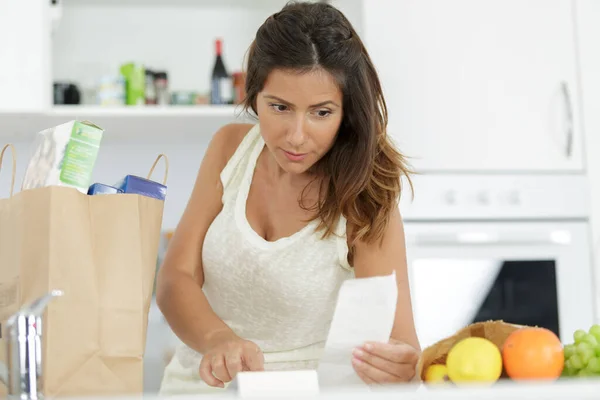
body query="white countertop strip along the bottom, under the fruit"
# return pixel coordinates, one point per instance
(575, 389)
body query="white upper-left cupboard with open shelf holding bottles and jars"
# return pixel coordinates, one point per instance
(82, 41)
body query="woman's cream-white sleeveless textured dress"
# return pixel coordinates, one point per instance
(280, 295)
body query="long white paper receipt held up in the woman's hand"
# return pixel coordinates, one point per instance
(365, 312)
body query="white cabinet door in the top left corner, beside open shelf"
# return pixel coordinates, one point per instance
(25, 82)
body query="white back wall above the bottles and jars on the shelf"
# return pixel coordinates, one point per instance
(94, 38)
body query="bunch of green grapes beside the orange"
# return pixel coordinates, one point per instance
(582, 358)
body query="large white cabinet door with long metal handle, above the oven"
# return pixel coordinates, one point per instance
(477, 85)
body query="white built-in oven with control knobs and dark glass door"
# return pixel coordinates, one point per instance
(486, 247)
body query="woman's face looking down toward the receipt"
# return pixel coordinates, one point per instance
(299, 116)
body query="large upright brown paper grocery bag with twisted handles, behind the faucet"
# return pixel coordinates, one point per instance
(102, 252)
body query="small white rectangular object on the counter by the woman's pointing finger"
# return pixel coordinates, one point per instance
(277, 383)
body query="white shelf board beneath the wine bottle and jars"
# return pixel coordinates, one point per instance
(173, 124)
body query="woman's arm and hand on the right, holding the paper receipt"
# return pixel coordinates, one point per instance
(396, 361)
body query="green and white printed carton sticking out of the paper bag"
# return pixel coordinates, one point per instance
(64, 156)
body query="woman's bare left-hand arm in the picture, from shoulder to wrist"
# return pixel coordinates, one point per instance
(180, 278)
